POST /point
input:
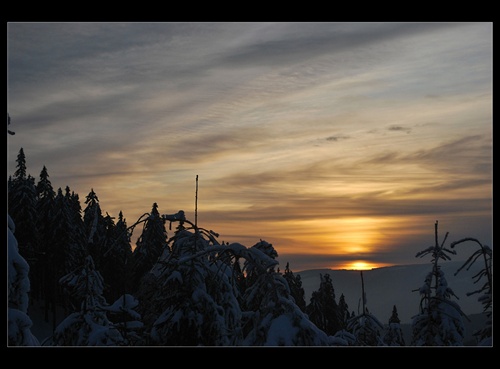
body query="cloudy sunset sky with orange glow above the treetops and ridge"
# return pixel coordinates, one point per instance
(338, 143)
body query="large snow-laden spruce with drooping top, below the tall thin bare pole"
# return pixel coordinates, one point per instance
(188, 298)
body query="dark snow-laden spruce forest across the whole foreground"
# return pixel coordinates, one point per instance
(180, 286)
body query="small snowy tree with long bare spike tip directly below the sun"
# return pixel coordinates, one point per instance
(365, 326)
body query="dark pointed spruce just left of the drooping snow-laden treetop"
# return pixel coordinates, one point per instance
(150, 245)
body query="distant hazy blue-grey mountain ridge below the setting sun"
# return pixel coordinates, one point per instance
(389, 286)
